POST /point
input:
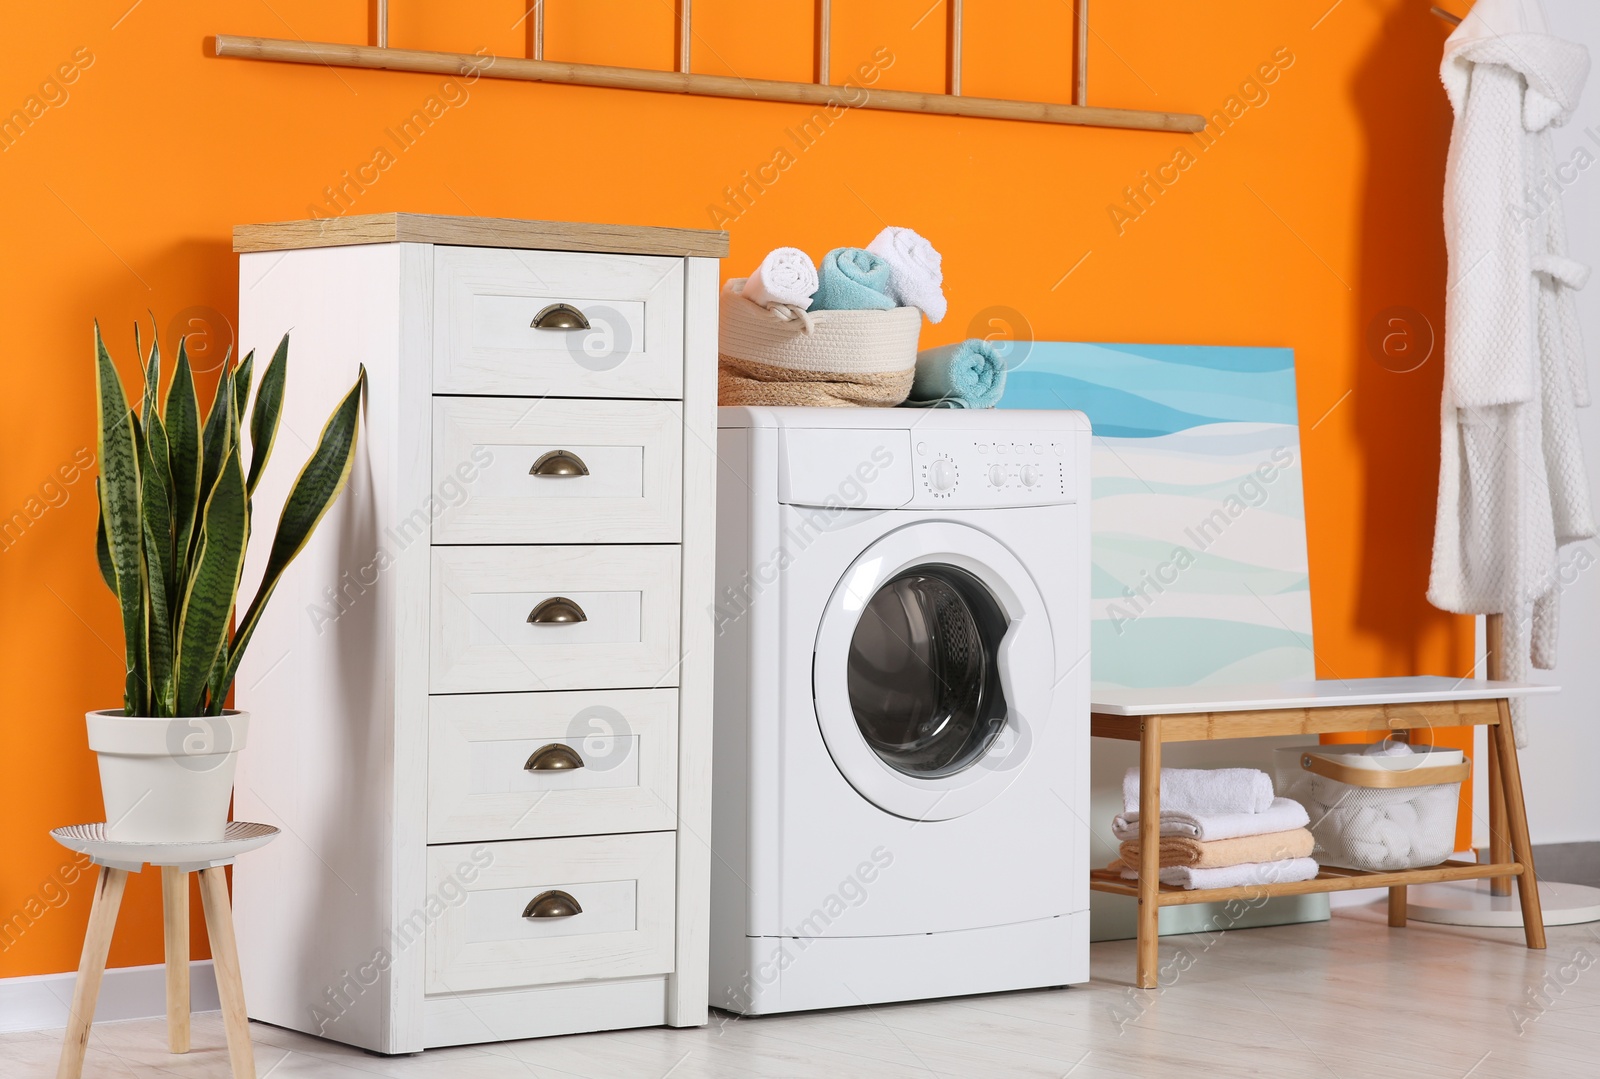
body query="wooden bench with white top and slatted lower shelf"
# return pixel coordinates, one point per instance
(1314, 708)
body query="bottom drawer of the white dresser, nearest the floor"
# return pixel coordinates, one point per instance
(489, 939)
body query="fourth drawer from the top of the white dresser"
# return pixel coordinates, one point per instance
(521, 766)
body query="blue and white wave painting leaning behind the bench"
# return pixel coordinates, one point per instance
(1199, 555)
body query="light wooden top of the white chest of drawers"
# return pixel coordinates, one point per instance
(430, 228)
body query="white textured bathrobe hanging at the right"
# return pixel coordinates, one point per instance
(1513, 486)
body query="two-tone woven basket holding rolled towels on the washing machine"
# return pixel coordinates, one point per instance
(826, 358)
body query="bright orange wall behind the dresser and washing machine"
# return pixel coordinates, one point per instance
(1316, 212)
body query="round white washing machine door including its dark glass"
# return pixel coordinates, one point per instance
(934, 672)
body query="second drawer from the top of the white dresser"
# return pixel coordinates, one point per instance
(558, 471)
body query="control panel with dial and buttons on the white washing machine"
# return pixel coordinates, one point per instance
(978, 470)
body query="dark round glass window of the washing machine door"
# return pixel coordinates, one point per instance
(924, 676)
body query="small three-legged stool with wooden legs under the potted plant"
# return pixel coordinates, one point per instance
(177, 862)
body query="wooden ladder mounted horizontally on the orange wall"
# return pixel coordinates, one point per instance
(822, 92)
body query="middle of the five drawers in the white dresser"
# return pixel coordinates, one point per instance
(495, 619)
